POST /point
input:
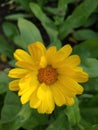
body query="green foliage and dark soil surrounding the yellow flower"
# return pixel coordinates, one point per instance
(53, 22)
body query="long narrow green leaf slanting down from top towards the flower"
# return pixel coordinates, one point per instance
(46, 22)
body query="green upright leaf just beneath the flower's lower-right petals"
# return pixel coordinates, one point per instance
(73, 113)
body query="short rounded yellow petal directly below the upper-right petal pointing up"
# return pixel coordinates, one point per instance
(73, 60)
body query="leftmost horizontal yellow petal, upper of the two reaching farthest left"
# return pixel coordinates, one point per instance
(17, 73)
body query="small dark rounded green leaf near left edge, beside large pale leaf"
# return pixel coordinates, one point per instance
(10, 30)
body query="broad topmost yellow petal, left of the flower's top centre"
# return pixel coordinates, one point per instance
(37, 50)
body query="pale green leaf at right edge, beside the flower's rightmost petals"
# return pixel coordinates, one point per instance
(90, 65)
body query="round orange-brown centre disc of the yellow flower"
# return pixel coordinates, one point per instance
(48, 75)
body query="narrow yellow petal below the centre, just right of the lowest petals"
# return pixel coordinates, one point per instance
(58, 95)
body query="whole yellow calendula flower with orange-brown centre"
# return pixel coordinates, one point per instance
(46, 77)
